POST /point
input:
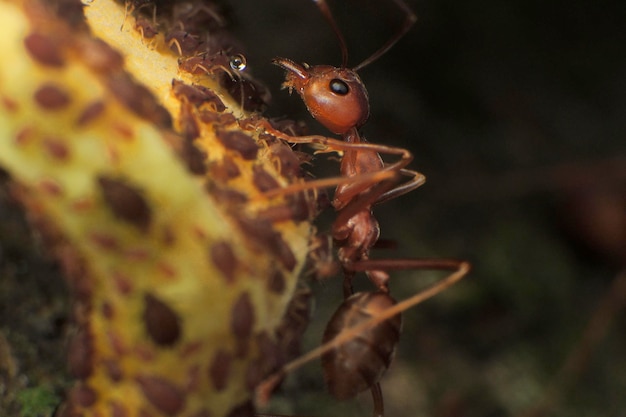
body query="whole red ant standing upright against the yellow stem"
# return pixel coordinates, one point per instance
(361, 337)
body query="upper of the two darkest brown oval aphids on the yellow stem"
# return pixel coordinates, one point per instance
(126, 202)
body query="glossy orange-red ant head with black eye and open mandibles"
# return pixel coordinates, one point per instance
(336, 97)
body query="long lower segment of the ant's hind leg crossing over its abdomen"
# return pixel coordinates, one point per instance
(264, 389)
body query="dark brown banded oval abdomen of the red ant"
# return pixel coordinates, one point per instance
(358, 364)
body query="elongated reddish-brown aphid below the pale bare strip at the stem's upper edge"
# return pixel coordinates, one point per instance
(138, 99)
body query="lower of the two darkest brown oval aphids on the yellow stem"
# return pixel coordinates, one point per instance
(161, 322)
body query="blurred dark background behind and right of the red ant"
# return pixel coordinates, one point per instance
(516, 113)
